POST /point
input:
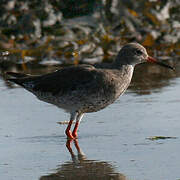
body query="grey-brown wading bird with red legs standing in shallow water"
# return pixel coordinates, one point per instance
(84, 89)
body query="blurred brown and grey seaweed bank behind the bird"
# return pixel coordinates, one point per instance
(57, 32)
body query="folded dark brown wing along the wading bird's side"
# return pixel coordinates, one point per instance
(61, 81)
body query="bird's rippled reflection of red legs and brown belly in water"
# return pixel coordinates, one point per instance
(80, 168)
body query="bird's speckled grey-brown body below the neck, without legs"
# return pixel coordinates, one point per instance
(82, 88)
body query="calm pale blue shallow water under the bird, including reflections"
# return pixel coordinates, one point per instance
(114, 141)
